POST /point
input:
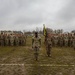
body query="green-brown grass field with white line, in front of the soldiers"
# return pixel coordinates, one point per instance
(20, 61)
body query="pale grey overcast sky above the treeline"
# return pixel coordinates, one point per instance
(29, 14)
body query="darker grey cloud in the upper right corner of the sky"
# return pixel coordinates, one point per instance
(68, 12)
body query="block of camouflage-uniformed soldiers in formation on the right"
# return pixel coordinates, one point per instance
(66, 40)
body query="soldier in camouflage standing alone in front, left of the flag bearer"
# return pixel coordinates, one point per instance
(36, 44)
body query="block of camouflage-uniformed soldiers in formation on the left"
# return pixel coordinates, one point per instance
(12, 39)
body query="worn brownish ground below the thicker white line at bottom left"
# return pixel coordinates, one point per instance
(12, 69)
